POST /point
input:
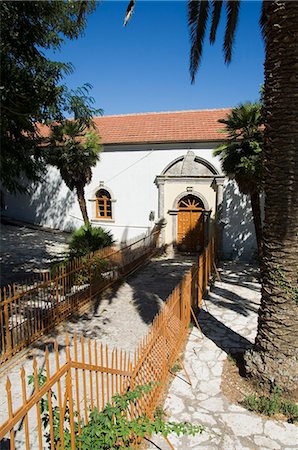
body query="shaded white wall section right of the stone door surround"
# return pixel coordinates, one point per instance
(238, 232)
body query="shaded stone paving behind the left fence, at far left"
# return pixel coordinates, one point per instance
(25, 250)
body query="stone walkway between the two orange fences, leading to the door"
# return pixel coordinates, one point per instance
(120, 317)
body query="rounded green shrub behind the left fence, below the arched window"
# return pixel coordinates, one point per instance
(87, 239)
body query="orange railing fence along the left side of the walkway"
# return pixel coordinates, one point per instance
(30, 309)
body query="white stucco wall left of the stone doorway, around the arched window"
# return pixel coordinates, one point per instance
(128, 172)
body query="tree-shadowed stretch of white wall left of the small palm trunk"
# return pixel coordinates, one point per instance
(48, 203)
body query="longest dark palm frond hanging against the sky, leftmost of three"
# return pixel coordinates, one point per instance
(197, 21)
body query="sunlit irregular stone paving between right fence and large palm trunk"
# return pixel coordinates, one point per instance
(229, 322)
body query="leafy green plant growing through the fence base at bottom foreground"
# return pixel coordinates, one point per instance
(114, 427)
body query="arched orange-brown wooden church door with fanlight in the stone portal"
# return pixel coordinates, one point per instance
(190, 221)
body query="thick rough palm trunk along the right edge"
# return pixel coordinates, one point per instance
(274, 359)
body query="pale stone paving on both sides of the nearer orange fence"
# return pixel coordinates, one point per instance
(121, 316)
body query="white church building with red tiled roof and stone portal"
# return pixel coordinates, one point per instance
(153, 166)
